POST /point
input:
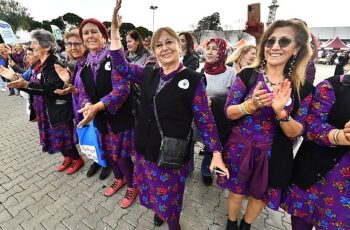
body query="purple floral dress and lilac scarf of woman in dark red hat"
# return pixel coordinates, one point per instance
(115, 145)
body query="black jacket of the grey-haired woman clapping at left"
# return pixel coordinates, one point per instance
(59, 107)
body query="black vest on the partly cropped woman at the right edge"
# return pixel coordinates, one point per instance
(313, 161)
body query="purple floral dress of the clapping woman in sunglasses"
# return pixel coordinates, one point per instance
(258, 127)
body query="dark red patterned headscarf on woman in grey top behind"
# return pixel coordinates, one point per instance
(219, 66)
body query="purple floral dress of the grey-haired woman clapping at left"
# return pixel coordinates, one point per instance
(52, 138)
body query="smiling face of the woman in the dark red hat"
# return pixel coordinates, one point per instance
(92, 37)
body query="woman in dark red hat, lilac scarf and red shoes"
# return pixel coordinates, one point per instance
(110, 107)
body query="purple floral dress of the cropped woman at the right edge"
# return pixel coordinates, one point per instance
(326, 204)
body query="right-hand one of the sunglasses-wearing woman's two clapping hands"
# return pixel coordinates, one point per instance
(282, 95)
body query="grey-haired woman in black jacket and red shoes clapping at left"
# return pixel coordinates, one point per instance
(53, 112)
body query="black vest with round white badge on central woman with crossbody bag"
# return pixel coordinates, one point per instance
(174, 109)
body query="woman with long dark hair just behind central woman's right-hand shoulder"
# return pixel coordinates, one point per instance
(190, 59)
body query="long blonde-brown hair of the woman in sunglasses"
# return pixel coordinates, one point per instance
(301, 58)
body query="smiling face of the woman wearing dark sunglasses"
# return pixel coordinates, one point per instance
(279, 53)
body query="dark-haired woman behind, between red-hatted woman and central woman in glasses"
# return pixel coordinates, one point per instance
(137, 52)
